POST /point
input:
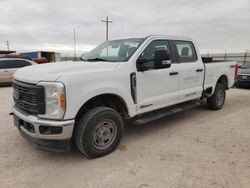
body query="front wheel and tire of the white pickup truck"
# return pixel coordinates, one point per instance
(98, 132)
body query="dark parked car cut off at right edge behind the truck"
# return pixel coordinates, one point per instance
(243, 75)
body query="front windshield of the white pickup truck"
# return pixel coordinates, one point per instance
(114, 51)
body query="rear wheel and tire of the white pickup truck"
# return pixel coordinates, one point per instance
(217, 100)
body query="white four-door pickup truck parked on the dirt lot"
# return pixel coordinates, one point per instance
(87, 101)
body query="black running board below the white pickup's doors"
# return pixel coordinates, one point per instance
(155, 115)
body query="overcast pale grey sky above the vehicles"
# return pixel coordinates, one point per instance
(33, 25)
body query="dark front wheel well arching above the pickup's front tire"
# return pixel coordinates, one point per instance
(109, 100)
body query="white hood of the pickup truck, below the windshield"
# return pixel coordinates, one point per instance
(53, 71)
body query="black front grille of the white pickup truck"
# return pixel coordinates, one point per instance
(29, 97)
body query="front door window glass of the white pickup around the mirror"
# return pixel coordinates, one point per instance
(148, 54)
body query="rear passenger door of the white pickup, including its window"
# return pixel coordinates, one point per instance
(191, 71)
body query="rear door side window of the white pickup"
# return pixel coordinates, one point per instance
(185, 51)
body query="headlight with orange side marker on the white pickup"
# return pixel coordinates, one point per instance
(55, 100)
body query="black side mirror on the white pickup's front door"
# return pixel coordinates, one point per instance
(162, 59)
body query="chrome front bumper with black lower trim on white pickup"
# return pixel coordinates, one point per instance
(44, 134)
